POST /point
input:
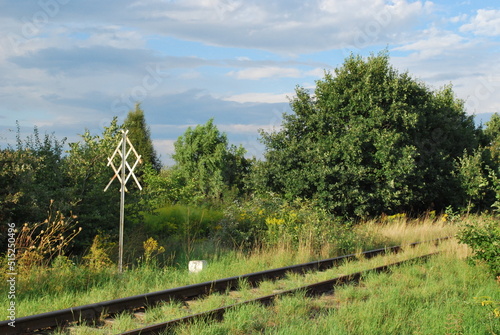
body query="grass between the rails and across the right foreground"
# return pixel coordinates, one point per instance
(414, 298)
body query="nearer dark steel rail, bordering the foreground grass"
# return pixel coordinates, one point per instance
(310, 290)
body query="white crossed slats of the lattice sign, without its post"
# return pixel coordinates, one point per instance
(129, 170)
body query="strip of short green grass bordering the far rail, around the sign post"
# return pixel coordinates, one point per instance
(47, 289)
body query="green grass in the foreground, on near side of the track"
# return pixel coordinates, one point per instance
(439, 296)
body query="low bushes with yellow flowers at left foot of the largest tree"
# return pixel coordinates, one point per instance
(271, 221)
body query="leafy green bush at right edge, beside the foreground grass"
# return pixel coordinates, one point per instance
(483, 236)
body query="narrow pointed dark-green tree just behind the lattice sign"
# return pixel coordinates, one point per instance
(140, 136)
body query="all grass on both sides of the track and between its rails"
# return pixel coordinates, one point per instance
(48, 289)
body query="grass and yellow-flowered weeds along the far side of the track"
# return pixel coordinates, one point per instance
(67, 282)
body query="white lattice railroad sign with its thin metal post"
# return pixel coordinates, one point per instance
(123, 173)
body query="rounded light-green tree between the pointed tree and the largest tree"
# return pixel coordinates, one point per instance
(206, 163)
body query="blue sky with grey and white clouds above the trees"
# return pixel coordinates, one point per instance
(69, 65)
